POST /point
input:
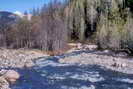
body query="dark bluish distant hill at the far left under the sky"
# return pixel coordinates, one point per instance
(8, 18)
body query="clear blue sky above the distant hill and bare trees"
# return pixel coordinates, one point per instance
(20, 5)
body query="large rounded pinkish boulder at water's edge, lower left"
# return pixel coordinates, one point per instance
(11, 76)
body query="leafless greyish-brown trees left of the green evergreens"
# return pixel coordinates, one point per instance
(46, 30)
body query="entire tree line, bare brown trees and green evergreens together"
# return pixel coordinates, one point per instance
(107, 23)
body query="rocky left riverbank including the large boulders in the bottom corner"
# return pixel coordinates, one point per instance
(10, 59)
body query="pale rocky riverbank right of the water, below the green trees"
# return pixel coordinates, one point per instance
(89, 55)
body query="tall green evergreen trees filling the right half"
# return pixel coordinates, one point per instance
(107, 23)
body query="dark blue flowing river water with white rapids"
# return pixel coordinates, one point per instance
(49, 74)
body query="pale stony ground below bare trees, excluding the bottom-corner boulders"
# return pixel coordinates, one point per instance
(18, 58)
